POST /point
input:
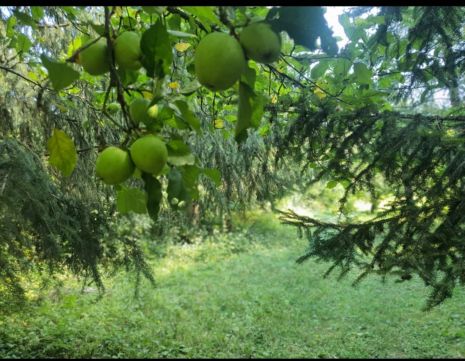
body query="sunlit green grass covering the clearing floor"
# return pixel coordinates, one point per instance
(239, 296)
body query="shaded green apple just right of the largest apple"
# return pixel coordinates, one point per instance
(260, 42)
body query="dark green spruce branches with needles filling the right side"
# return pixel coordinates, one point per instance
(419, 157)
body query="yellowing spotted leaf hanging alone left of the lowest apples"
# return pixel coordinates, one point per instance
(62, 151)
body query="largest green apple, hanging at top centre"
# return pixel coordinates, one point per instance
(219, 61)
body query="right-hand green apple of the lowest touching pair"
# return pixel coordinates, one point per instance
(149, 154)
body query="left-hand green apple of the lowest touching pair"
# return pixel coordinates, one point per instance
(114, 165)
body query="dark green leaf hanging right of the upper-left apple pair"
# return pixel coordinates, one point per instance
(156, 49)
